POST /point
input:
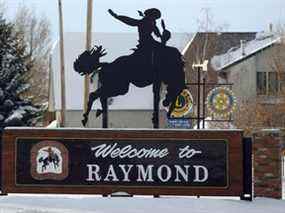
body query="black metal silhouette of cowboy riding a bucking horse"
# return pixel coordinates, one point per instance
(152, 62)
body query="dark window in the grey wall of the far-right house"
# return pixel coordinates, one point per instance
(267, 83)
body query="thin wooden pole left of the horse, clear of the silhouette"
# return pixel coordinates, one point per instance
(62, 72)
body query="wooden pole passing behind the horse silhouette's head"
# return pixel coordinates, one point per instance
(88, 47)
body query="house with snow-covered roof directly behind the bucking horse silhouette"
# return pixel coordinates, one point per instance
(133, 110)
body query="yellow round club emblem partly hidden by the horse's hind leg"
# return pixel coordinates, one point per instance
(183, 104)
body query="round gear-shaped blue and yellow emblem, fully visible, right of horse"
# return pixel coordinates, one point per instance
(221, 101)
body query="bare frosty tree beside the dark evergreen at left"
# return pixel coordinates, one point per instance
(36, 34)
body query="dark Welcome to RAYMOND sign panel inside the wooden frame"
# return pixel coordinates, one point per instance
(122, 162)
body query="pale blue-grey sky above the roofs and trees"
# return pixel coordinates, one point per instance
(180, 15)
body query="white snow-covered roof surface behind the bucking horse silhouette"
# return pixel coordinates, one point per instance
(116, 44)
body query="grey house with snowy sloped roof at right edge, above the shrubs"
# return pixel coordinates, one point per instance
(254, 67)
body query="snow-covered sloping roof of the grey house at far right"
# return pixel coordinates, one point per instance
(236, 54)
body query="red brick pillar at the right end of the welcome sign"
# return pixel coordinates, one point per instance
(267, 164)
